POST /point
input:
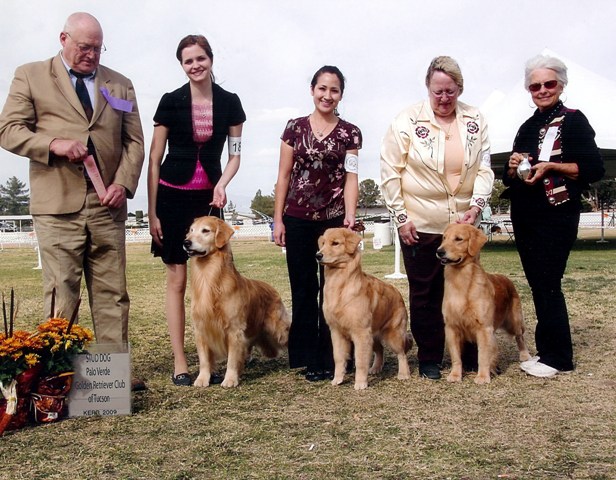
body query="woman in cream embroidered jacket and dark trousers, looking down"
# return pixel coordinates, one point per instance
(435, 170)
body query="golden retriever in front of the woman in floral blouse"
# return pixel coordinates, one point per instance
(360, 308)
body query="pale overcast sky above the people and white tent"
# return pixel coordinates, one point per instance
(266, 51)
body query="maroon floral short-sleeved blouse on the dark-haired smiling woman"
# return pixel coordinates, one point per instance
(318, 175)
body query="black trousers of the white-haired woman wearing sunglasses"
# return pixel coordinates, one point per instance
(544, 241)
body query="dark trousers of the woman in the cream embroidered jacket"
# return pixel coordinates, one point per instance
(426, 289)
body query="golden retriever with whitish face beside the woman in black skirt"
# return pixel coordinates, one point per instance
(230, 313)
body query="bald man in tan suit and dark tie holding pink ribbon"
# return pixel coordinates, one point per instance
(48, 119)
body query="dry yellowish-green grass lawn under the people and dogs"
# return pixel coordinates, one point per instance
(276, 425)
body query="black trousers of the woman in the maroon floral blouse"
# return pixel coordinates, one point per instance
(310, 342)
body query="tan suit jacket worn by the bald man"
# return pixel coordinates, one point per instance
(42, 105)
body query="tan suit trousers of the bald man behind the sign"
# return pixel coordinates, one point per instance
(89, 244)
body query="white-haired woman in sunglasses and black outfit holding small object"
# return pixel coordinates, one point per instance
(554, 159)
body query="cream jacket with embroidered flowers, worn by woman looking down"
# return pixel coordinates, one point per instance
(413, 178)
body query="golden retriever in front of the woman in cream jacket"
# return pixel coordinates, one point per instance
(476, 303)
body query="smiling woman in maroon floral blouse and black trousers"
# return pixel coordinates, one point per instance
(317, 189)
